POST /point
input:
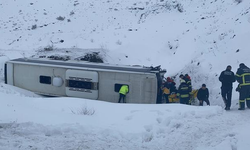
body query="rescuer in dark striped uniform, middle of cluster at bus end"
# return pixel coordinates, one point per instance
(184, 92)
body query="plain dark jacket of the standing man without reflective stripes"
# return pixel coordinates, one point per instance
(227, 78)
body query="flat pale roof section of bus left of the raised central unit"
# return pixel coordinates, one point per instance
(29, 77)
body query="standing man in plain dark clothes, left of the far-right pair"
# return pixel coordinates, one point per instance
(227, 78)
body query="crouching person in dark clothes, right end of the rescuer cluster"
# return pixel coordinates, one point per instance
(203, 95)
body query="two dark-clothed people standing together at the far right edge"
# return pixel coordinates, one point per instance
(227, 78)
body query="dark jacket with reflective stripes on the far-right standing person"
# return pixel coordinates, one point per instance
(243, 76)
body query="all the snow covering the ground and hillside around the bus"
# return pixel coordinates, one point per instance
(196, 37)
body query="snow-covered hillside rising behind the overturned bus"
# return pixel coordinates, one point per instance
(196, 37)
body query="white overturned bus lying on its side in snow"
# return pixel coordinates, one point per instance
(85, 80)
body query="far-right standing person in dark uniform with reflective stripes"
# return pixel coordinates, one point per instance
(243, 78)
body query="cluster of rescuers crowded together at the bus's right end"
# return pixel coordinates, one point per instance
(184, 93)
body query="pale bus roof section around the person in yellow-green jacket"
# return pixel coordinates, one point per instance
(142, 87)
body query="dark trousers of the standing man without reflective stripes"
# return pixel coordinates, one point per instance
(226, 93)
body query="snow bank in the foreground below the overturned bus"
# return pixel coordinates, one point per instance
(38, 123)
